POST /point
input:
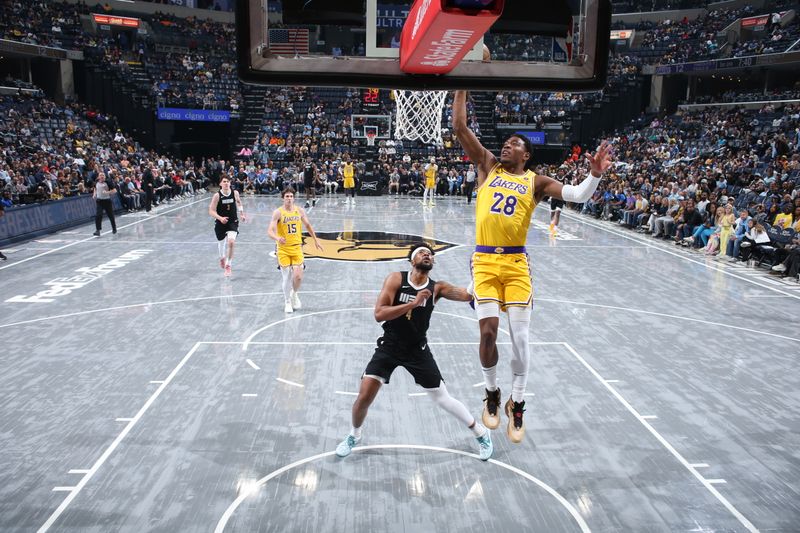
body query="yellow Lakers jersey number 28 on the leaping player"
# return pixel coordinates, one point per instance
(503, 208)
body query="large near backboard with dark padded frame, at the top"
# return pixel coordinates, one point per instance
(561, 45)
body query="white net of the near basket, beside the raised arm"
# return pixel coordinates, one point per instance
(419, 115)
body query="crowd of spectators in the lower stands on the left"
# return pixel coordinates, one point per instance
(50, 152)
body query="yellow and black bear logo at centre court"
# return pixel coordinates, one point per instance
(367, 245)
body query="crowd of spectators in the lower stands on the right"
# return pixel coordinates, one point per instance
(723, 182)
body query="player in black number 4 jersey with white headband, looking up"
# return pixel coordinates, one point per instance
(405, 305)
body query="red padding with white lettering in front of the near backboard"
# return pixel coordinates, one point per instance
(436, 37)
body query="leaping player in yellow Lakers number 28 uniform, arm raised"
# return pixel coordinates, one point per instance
(507, 195)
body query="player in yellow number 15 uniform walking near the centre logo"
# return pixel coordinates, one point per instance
(286, 228)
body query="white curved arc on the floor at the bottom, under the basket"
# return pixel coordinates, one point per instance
(223, 521)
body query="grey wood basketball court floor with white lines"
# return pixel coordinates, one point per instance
(161, 396)
